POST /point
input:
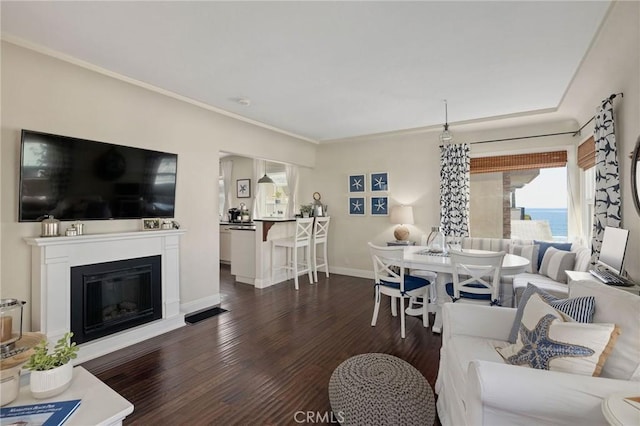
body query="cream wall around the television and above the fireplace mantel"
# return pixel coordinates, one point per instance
(42, 93)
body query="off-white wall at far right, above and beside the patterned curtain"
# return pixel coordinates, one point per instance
(613, 66)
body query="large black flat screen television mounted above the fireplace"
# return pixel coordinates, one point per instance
(78, 179)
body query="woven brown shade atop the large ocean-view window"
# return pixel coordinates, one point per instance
(503, 163)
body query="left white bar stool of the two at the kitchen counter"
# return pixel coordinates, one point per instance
(301, 239)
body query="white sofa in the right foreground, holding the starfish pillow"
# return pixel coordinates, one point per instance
(476, 387)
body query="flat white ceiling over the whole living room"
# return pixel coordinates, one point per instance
(329, 70)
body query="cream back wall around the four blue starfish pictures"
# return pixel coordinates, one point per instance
(412, 162)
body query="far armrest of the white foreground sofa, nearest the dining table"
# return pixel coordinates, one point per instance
(491, 322)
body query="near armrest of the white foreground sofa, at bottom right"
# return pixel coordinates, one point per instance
(509, 394)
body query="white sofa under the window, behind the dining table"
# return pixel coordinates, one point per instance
(513, 286)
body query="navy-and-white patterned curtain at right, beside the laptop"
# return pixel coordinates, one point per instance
(607, 196)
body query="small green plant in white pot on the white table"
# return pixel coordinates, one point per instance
(51, 372)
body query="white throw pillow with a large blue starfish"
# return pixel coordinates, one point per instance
(546, 342)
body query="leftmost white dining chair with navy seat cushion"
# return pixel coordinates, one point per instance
(391, 280)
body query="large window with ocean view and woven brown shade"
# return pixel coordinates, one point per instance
(519, 196)
